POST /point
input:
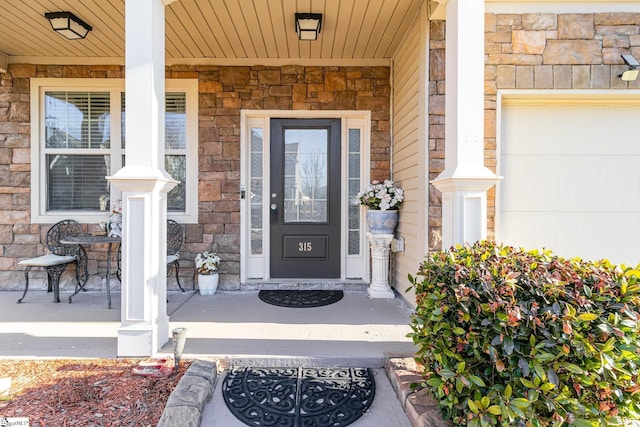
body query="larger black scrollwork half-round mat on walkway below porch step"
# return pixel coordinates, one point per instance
(298, 397)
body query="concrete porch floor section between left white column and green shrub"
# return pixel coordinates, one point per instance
(240, 329)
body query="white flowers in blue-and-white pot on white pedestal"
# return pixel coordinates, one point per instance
(382, 199)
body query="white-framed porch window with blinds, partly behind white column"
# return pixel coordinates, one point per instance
(79, 139)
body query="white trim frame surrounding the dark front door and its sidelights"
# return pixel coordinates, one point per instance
(352, 266)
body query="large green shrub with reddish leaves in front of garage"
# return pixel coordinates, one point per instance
(515, 338)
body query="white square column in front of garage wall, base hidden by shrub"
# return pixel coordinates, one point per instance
(465, 180)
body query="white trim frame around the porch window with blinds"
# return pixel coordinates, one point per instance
(39, 86)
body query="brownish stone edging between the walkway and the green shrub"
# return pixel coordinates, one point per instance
(420, 407)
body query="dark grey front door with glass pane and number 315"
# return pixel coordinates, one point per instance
(305, 198)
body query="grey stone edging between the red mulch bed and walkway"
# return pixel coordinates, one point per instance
(185, 405)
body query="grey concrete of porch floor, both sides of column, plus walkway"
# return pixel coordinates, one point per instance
(230, 328)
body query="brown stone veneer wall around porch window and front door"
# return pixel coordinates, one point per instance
(224, 91)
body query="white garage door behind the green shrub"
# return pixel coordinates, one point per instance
(571, 178)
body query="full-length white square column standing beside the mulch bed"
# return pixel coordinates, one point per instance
(144, 183)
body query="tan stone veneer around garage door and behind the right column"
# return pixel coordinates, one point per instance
(530, 51)
